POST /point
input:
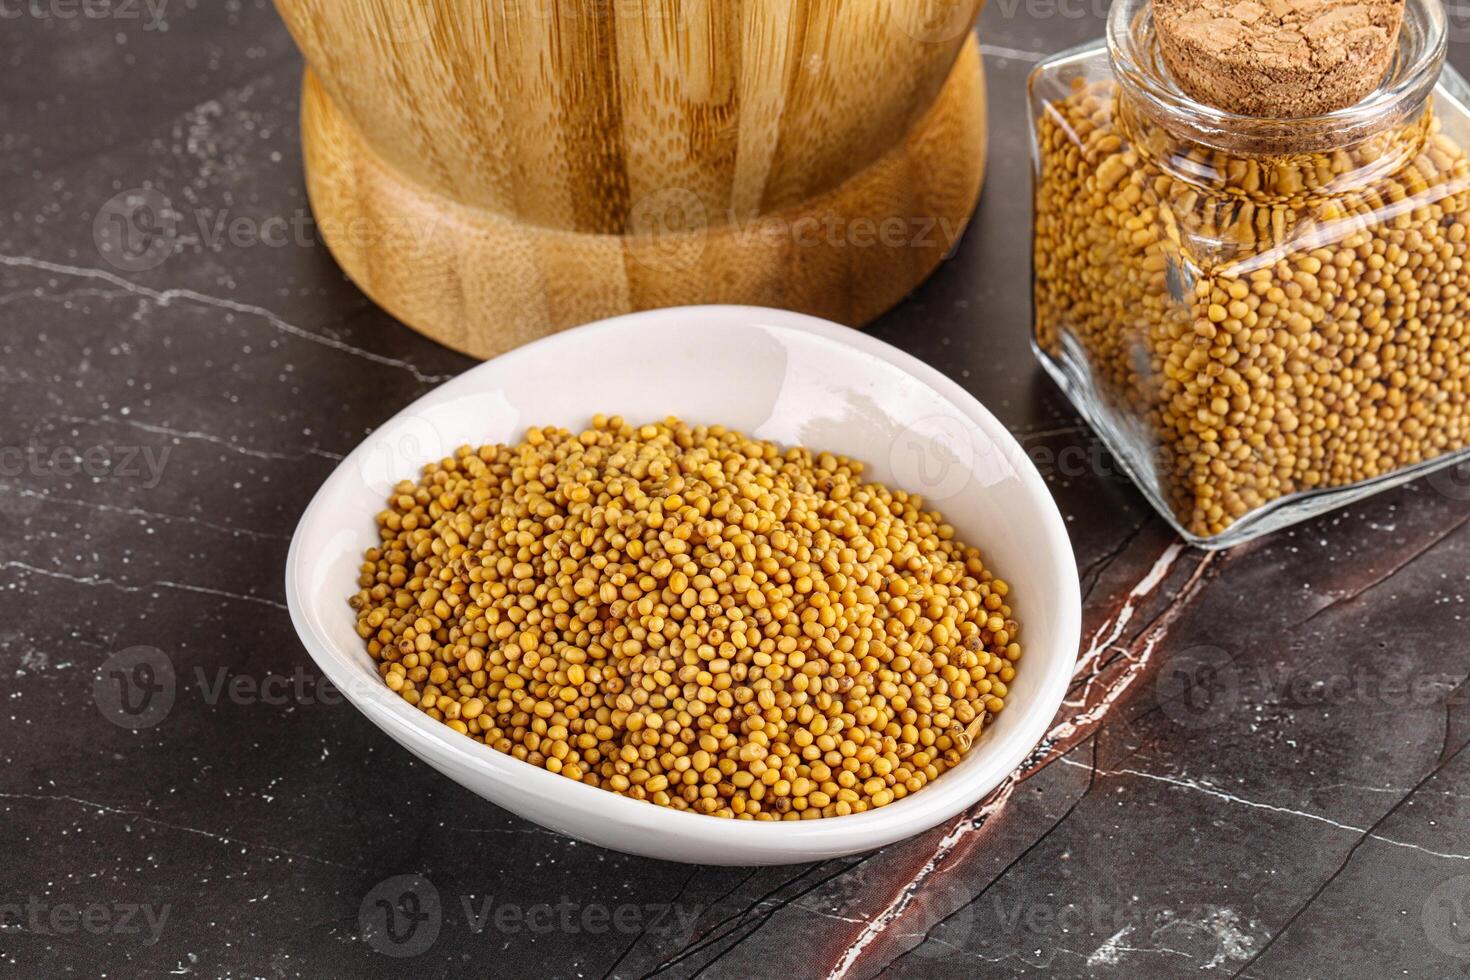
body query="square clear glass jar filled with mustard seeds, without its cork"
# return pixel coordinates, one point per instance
(1262, 318)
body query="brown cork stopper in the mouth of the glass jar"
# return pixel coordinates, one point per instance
(1278, 60)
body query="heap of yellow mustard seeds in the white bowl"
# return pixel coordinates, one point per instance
(689, 616)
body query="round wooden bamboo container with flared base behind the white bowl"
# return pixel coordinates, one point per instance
(493, 171)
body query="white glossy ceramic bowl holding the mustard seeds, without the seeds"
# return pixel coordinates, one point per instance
(775, 375)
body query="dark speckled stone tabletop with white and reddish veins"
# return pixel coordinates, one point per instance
(1262, 771)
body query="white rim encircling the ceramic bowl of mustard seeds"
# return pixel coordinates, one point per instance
(905, 818)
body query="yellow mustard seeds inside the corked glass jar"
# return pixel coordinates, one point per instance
(1283, 325)
